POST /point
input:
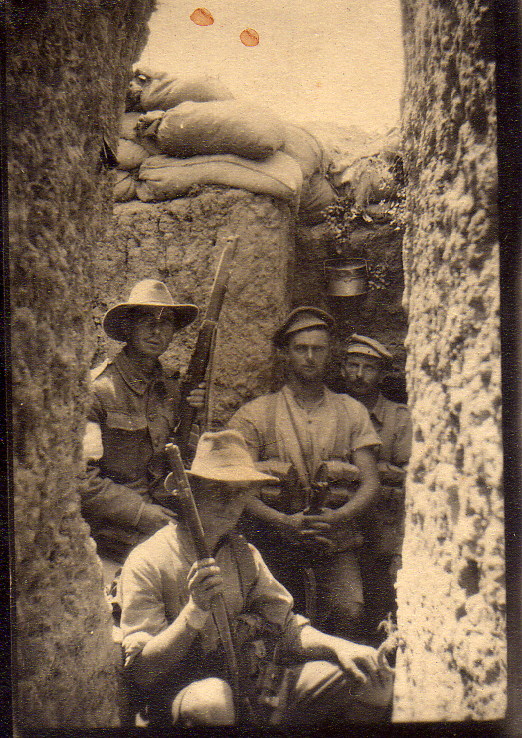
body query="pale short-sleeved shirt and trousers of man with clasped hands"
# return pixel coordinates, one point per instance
(329, 433)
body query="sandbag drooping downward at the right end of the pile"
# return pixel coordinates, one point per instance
(317, 193)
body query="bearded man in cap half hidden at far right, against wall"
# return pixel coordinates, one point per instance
(364, 363)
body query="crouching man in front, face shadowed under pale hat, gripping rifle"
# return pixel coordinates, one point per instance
(170, 638)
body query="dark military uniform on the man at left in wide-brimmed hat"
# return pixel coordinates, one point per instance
(137, 415)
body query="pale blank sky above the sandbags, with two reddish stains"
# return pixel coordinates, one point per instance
(317, 60)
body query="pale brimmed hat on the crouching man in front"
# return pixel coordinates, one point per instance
(223, 456)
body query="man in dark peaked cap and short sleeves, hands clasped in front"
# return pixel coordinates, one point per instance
(322, 437)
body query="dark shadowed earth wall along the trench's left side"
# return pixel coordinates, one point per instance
(67, 69)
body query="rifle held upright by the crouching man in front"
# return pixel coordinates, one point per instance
(191, 517)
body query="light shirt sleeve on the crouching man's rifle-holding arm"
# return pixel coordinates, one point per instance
(142, 607)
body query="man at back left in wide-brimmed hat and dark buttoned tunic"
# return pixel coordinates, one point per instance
(133, 415)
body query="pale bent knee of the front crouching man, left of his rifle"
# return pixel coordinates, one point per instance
(207, 702)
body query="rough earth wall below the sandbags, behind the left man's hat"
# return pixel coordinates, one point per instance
(180, 242)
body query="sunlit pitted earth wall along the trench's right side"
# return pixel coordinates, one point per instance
(452, 662)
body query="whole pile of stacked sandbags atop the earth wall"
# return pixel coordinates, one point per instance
(180, 133)
